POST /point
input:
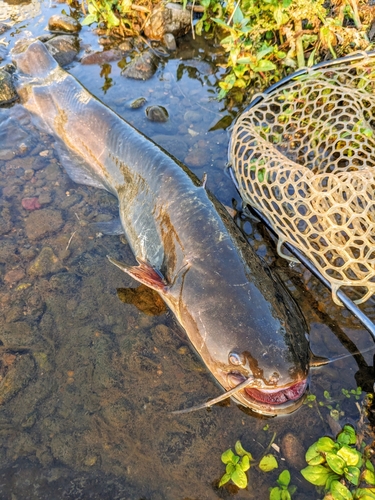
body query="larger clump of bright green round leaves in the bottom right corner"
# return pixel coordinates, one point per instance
(338, 467)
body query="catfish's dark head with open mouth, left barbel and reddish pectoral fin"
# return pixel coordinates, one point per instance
(249, 333)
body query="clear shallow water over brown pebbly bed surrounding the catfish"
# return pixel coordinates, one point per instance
(88, 382)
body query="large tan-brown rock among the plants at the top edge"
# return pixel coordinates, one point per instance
(169, 18)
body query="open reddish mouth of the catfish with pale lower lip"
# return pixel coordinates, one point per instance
(270, 401)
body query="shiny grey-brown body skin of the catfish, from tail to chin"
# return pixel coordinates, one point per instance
(223, 296)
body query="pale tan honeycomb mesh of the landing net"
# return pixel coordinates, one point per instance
(305, 157)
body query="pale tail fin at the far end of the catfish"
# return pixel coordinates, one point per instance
(33, 59)
